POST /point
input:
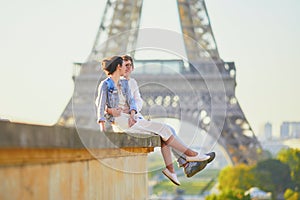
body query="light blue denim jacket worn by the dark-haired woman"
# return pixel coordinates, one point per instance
(108, 97)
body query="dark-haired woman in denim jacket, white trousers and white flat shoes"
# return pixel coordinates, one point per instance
(114, 95)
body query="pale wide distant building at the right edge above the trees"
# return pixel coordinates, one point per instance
(290, 130)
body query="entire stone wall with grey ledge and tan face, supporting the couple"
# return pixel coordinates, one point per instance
(52, 162)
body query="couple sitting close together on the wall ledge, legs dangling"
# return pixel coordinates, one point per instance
(119, 102)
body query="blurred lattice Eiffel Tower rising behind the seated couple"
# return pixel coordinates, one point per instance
(207, 100)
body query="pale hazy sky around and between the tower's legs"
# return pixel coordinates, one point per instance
(41, 39)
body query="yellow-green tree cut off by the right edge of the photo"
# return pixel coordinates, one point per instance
(291, 157)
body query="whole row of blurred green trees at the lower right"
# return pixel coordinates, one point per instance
(279, 175)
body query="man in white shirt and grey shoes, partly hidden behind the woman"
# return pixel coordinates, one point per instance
(190, 168)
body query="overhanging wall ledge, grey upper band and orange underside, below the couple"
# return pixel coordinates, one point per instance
(33, 144)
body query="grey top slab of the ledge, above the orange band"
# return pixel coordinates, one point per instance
(18, 135)
